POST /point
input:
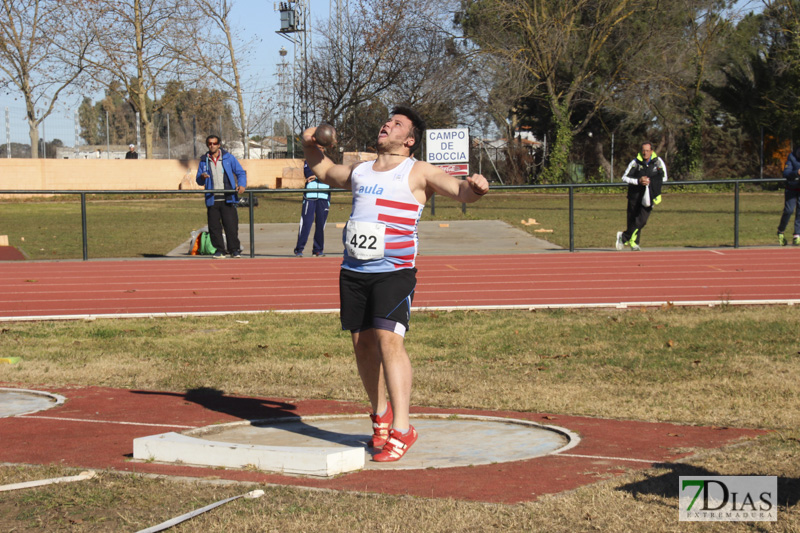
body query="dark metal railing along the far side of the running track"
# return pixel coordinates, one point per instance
(250, 194)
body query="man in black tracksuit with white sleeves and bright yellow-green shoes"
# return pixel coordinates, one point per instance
(644, 177)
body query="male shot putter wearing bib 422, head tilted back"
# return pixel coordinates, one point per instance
(378, 274)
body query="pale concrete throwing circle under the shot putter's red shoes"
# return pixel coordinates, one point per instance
(445, 440)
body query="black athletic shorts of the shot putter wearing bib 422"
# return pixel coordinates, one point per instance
(377, 299)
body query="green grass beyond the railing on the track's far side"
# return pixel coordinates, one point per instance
(151, 227)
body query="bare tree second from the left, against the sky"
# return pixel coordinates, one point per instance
(139, 45)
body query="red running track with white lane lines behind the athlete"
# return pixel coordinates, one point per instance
(73, 289)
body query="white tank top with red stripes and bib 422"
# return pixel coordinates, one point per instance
(381, 235)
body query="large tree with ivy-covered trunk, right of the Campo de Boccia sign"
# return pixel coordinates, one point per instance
(572, 53)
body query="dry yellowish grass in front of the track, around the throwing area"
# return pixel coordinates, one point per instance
(724, 366)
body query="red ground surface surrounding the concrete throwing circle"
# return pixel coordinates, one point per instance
(95, 428)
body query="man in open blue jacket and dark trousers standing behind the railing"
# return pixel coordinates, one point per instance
(218, 171)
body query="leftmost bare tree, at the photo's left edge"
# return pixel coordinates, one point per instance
(42, 56)
